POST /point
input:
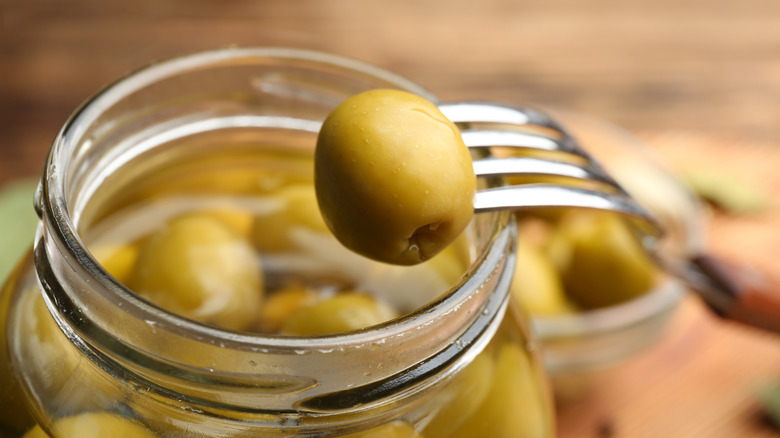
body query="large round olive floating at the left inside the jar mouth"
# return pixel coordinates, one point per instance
(198, 267)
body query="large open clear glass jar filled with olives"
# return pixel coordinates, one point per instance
(81, 351)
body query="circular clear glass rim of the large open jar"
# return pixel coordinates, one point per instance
(52, 203)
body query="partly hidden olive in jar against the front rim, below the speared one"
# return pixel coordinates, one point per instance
(341, 313)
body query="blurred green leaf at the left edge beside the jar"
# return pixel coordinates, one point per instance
(17, 223)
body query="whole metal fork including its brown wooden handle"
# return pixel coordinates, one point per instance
(731, 291)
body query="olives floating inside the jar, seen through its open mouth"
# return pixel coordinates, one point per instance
(206, 265)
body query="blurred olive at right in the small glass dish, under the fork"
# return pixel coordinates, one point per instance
(605, 264)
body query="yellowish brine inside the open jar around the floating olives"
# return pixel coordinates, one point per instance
(265, 194)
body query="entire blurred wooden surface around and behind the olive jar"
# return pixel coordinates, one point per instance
(697, 79)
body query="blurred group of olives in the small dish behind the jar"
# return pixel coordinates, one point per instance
(579, 260)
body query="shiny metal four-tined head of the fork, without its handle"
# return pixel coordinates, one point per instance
(488, 125)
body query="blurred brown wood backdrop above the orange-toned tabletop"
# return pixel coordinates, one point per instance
(706, 66)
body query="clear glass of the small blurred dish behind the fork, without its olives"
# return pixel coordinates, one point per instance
(585, 342)
